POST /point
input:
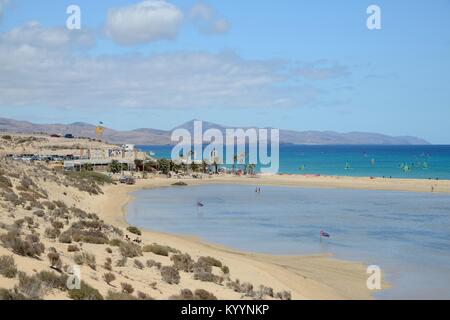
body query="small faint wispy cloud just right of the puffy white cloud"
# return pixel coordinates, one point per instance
(207, 20)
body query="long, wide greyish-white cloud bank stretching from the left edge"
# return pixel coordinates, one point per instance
(38, 69)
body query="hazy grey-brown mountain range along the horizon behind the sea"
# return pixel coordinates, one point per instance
(162, 137)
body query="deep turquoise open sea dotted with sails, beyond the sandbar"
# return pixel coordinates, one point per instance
(422, 162)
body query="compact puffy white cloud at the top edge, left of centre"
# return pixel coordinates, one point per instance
(143, 22)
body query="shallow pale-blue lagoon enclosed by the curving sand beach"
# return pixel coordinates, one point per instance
(406, 234)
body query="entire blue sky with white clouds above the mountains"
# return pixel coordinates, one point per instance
(302, 65)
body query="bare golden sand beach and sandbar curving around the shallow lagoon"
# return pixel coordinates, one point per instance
(307, 277)
